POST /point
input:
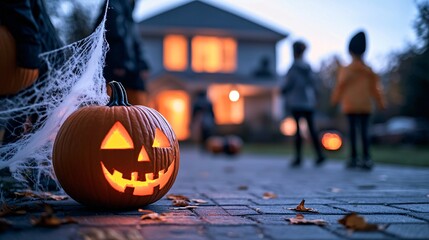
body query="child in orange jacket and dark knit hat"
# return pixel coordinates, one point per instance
(357, 86)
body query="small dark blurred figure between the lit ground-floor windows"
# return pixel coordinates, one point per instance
(203, 119)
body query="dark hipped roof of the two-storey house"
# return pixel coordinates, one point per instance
(203, 18)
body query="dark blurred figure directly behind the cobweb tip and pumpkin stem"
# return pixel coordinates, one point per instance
(125, 61)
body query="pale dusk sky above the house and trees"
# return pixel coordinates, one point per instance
(326, 25)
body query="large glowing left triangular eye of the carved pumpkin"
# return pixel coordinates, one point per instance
(117, 138)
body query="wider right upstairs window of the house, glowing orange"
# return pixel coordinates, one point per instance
(214, 54)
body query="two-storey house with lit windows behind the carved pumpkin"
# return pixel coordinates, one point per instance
(201, 46)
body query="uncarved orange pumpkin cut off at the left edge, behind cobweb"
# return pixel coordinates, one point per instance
(13, 78)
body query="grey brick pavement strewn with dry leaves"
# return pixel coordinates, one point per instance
(233, 187)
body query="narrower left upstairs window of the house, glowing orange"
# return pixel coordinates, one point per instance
(175, 53)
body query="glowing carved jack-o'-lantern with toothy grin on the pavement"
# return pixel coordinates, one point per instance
(117, 156)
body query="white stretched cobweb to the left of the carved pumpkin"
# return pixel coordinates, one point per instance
(74, 79)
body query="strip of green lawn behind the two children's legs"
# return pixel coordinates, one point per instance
(403, 155)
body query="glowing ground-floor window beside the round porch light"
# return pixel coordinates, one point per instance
(226, 111)
